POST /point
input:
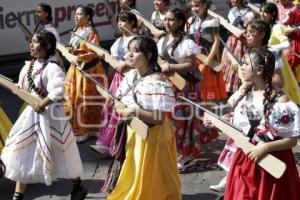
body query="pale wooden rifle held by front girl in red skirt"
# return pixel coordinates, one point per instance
(268, 162)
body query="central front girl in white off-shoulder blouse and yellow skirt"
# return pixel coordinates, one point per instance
(148, 166)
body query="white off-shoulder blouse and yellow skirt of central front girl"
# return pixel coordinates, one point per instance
(149, 171)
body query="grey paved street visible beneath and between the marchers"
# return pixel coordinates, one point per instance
(194, 183)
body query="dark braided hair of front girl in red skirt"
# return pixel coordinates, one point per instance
(264, 57)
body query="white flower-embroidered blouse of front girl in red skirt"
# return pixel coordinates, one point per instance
(284, 120)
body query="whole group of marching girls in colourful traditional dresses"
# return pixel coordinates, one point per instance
(257, 79)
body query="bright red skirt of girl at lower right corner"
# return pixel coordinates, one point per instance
(249, 181)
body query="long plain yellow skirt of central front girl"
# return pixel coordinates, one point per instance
(150, 168)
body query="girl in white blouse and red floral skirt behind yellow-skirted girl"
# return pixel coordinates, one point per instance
(179, 51)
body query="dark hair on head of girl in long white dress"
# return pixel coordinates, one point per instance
(46, 38)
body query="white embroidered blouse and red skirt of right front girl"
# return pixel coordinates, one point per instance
(246, 179)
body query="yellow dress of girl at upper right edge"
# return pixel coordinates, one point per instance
(291, 87)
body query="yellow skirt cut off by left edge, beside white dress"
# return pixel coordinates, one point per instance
(5, 126)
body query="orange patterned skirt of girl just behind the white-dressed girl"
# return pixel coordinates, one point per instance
(83, 102)
